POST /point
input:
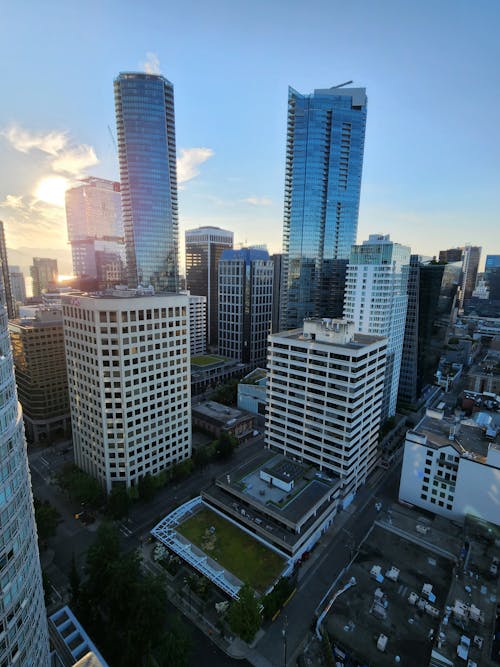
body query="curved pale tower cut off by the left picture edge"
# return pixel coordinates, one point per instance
(23, 624)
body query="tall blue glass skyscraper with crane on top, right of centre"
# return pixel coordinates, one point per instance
(324, 159)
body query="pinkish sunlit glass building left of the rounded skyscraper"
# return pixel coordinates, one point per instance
(95, 228)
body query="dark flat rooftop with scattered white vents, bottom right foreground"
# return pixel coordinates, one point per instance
(355, 623)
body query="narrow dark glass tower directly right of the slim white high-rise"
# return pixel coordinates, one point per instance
(419, 360)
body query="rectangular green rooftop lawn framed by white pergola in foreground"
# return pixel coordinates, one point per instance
(235, 550)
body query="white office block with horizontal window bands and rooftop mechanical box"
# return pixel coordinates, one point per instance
(324, 395)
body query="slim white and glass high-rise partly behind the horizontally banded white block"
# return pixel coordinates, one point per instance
(376, 300)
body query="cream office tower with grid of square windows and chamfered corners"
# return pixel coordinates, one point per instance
(127, 355)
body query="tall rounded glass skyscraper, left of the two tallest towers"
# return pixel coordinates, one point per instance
(145, 123)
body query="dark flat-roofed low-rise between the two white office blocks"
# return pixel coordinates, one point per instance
(217, 418)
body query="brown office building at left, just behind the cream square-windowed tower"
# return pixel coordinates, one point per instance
(42, 383)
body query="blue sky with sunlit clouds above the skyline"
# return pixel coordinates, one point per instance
(431, 175)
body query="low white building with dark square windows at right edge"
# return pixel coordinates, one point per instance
(451, 467)
